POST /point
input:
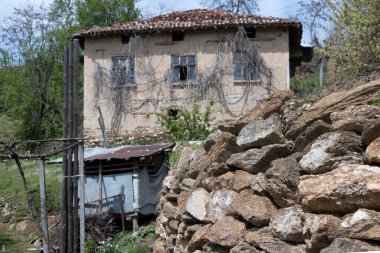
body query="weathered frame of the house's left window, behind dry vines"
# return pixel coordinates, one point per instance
(129, 77)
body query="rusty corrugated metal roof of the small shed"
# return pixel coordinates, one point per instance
(122, 152)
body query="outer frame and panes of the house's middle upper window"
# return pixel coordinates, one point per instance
(190, 66)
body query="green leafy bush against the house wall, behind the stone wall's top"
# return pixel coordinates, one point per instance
(187, 125)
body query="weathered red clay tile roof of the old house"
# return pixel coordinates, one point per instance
(189, 20)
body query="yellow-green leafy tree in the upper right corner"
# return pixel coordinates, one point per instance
(354, 42)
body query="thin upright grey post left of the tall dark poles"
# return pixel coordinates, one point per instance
(44, 222)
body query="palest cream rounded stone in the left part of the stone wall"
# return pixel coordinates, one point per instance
(196, 203)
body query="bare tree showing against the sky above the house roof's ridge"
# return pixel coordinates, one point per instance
(235, 6)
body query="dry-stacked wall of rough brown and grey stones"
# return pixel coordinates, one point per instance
(286, 177)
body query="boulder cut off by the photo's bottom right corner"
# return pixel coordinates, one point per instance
(344, 245)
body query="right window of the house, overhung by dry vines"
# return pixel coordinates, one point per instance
(244, 67)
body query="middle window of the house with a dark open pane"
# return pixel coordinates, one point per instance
(183, 68)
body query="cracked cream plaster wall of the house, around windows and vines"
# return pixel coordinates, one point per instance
(152, 93)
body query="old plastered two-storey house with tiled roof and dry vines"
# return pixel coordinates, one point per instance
(135, 69)
